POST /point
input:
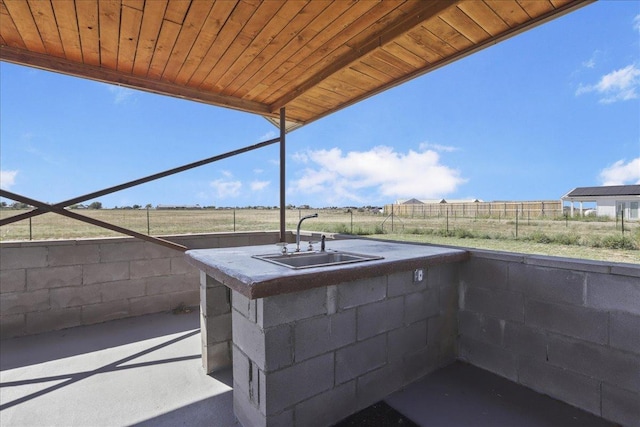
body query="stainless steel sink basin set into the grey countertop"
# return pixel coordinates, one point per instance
(298, 260)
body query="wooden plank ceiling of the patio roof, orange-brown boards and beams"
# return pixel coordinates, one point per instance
(311, 56)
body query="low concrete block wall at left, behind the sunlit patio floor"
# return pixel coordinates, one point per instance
(50, 285)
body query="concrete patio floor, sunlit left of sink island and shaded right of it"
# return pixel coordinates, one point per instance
(147, 371)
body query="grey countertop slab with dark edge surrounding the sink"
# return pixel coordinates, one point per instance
(254, 278)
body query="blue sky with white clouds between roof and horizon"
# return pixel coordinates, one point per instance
(530, 118)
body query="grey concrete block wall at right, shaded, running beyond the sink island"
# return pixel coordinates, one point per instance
(563, 327)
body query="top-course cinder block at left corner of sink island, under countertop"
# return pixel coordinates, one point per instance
(291, 307)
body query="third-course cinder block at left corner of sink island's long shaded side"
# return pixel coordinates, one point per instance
(289, 386)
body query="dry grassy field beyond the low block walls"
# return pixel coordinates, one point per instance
(597, 238)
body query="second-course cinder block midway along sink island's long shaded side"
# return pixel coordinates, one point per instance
(379, 317)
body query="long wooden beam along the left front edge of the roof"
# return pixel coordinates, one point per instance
(24, 57)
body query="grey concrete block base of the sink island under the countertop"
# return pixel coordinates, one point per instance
(312, 358)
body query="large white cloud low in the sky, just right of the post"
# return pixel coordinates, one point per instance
(339, 177)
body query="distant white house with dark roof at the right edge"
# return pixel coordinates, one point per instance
(610, 200)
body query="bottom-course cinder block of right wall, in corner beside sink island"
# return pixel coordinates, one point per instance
(495, 359)
